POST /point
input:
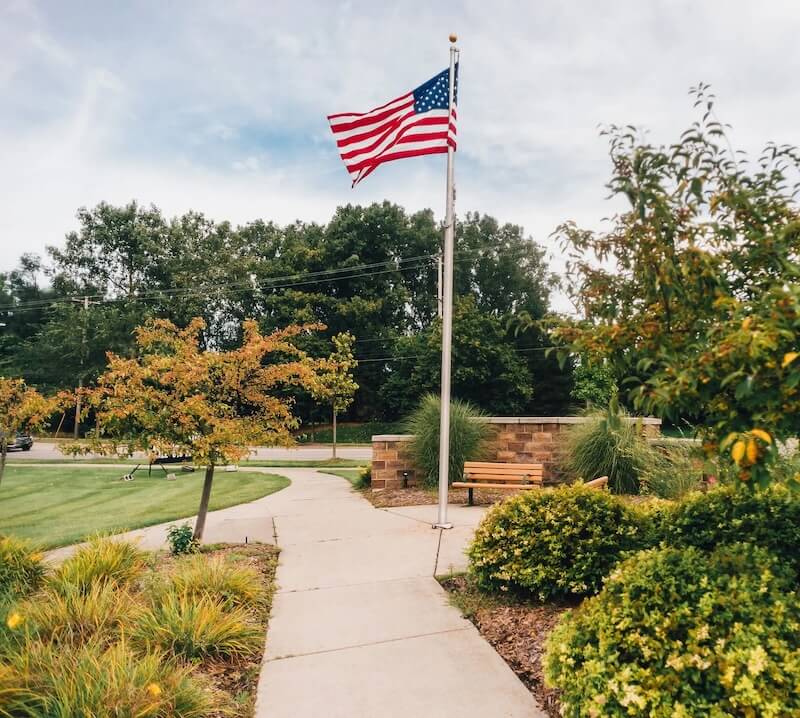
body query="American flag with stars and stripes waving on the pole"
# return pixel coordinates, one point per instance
(411, 125)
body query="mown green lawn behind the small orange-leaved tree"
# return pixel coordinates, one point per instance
(59, 505)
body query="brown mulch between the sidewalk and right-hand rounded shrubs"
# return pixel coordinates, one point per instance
(516, 630)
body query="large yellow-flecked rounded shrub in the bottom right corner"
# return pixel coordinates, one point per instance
(680, 632)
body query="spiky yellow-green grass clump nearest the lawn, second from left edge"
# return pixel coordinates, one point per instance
(102, 560)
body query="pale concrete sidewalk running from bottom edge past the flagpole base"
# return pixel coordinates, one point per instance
(360, 627)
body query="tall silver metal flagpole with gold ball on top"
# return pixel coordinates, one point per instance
(447, 313)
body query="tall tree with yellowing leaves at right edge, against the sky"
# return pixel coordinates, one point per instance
(696, 297)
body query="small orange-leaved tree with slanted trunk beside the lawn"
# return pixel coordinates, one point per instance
(174, 397)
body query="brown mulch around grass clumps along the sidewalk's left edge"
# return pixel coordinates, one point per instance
(238, 678)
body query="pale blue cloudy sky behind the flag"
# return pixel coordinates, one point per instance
(221, 107)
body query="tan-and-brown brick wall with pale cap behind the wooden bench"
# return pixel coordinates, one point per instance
(519, 440)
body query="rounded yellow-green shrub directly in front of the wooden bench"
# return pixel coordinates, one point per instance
(554, 543)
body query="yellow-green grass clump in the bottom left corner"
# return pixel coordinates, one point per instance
(66, 682)
